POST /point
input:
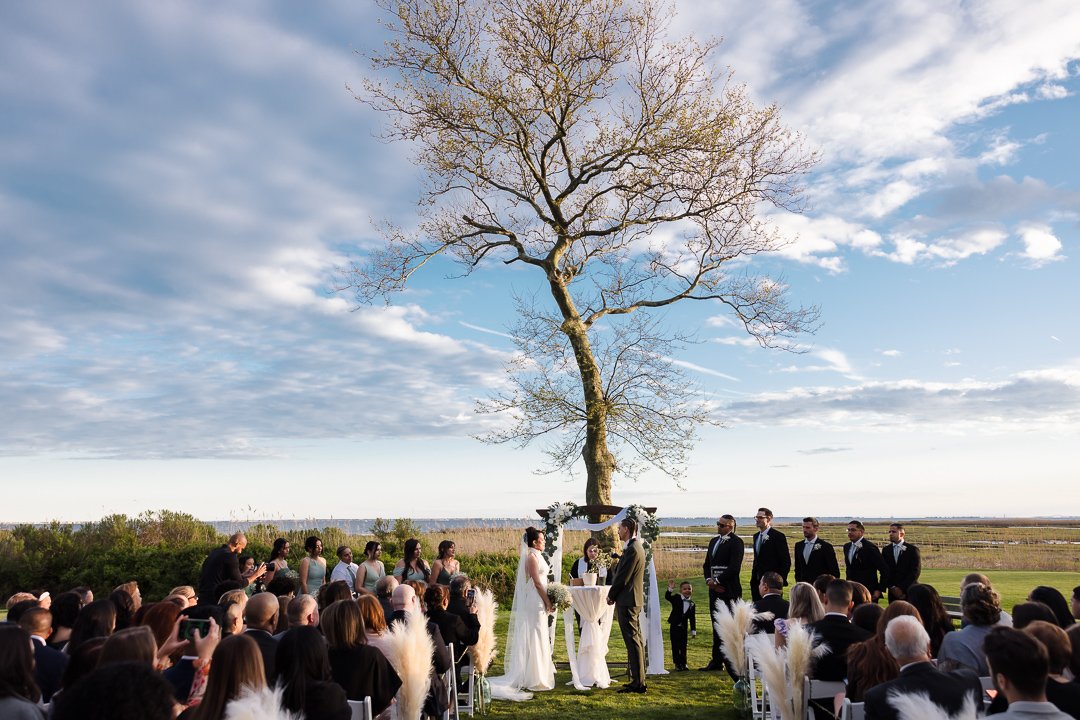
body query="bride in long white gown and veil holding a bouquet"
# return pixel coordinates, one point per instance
(529, 664)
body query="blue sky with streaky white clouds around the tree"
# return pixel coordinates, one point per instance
(179, 182)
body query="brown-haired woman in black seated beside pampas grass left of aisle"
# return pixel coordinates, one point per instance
(360, 669)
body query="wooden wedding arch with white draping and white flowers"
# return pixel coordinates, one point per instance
(559, 514)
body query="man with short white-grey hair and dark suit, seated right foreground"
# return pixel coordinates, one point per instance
(910, 645)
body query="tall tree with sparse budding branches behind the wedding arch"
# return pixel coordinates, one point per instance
(570, 137)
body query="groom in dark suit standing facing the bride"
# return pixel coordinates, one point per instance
(628, 596)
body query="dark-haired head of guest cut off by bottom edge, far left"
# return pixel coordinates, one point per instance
(120, 691)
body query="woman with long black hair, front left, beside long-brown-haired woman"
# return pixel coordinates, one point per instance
(304, 671)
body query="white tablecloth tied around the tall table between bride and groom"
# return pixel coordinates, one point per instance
(589, 661)
